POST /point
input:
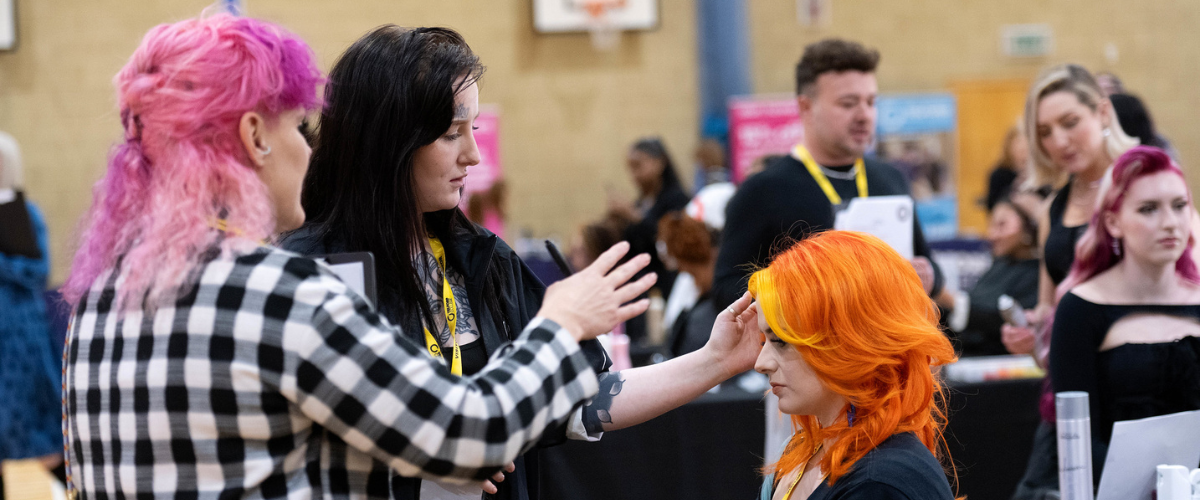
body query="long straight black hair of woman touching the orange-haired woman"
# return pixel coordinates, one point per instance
(391, 94)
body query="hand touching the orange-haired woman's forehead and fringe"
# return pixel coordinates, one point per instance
(736, 340)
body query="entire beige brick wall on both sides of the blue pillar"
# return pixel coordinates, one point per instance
(568, 112)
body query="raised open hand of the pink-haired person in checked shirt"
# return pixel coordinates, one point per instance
(593, 302)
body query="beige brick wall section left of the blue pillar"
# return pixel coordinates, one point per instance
(568, 113)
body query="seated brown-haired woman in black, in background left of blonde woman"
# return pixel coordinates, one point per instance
(975, 317)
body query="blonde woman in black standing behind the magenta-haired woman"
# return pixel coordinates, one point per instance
(1075, 137)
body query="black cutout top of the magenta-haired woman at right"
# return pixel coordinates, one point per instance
(1130, 382)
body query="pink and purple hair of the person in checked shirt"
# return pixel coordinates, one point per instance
(183, 165)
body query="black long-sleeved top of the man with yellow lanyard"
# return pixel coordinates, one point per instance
(785, 202)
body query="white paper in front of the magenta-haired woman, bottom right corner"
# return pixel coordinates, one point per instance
(1137, 449)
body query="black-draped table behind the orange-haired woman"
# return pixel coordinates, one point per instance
(712, 449)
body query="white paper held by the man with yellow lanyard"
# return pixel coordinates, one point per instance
(890, 219)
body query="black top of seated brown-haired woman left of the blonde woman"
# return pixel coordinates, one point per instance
(1012, 278)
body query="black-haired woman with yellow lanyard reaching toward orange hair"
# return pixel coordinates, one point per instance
(392, 154)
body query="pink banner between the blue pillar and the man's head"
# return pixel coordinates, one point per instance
(761, 126)
